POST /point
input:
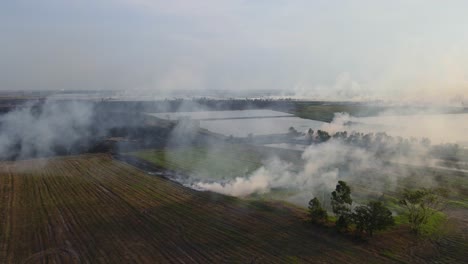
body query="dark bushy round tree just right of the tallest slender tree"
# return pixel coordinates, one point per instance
(371, 217)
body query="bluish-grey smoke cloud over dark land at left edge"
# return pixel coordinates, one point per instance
(38, 130)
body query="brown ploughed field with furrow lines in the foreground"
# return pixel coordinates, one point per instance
(93, 209)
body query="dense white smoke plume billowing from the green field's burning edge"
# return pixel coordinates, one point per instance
(323, 165)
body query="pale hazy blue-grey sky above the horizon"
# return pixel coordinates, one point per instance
(343, 49)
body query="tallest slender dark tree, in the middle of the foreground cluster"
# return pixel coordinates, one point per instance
(341, 204)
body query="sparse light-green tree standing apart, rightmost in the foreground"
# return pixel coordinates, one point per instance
(421, 204)
